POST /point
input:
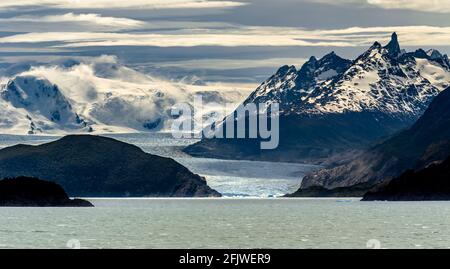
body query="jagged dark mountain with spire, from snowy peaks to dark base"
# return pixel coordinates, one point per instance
(332, 104)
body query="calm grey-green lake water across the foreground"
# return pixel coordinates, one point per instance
(229, 223)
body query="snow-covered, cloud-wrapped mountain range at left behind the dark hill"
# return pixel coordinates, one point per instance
(98, 96)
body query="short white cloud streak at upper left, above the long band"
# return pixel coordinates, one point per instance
(90, 18)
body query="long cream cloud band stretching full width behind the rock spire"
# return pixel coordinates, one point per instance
(242, 36)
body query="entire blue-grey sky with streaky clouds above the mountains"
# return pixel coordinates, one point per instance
(233, 41)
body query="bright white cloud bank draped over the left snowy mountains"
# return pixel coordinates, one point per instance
(115, 97)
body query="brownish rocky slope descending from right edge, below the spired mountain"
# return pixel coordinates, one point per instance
(426, 142)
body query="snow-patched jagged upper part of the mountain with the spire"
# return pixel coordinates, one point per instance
(383, 79)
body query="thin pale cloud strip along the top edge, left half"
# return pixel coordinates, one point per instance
(97, 4)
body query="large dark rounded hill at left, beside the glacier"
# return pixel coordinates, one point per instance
(95, 166)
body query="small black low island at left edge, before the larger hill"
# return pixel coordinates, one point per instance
(33, 192)
